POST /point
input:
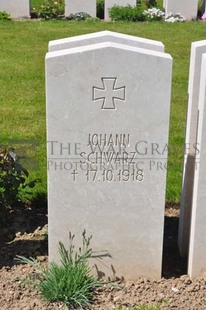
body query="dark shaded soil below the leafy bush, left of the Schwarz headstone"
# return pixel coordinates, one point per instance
(24, 220)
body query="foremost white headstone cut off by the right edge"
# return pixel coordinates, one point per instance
(197, 249)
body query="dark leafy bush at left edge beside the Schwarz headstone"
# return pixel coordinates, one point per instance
(13, 178)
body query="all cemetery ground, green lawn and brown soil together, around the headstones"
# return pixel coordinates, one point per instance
(22, 96)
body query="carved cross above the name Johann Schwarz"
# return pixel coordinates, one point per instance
(108, 94)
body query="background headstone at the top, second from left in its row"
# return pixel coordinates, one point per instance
(79, 6)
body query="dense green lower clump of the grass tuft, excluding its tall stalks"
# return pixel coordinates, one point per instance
(72, 284)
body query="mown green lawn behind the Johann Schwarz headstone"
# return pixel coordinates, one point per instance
(22, 81)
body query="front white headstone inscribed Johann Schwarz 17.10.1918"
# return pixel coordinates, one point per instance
(105, 116)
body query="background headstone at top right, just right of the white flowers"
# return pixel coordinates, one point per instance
(188, 8)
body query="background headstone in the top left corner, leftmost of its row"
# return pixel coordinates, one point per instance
(16, 8)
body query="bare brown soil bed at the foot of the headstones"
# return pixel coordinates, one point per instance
(24, 233)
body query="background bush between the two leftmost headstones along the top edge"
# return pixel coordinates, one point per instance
(50, 9)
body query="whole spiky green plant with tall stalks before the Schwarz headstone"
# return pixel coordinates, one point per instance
(71, 282)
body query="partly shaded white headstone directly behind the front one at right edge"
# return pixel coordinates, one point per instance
(197, 50)
